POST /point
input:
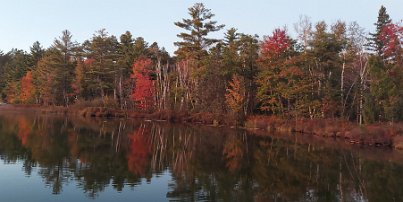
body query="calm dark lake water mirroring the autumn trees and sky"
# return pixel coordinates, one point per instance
(51, 158)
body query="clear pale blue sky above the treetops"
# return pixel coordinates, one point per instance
(23, 22)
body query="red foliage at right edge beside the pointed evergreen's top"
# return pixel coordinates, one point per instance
(392, 38)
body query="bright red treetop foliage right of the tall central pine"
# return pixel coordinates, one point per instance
(276, 44)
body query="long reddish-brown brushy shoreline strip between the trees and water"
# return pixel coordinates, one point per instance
(385, 135)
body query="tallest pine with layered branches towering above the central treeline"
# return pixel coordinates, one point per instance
(194, 57)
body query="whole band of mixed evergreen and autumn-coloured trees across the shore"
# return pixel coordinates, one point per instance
(327, 71)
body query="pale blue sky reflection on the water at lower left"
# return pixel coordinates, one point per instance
(16, 186)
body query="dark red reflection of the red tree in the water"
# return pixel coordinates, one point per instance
(140, 151)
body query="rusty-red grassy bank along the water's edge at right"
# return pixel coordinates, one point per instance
(379, 135)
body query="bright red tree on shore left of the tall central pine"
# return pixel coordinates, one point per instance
(143, 91)
